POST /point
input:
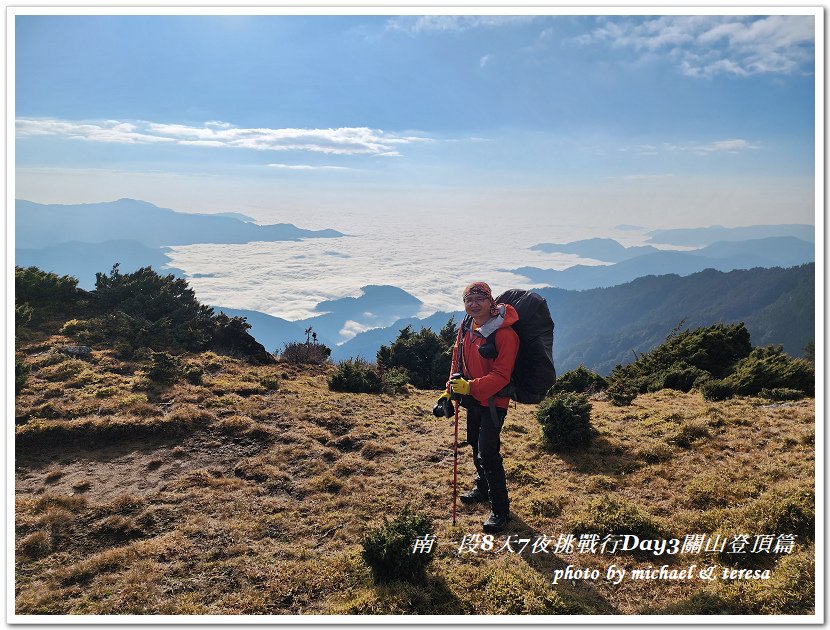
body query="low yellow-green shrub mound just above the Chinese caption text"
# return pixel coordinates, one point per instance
(616, 515)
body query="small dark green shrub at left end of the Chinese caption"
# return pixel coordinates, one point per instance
(387, 550)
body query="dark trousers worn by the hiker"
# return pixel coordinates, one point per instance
(483, 436)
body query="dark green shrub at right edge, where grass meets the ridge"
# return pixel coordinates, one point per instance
(770, 368)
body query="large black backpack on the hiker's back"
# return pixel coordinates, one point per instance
(533, 373)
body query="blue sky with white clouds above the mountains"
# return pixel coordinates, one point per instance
(660, 120)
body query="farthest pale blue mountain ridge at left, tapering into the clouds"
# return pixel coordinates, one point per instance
(39, 225)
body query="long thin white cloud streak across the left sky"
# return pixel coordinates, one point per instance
(340, 141)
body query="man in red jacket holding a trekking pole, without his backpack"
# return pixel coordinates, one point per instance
(479, 372)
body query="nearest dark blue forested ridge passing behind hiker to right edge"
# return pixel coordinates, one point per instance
(603, 327)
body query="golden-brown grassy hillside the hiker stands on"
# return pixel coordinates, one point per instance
(248, 490)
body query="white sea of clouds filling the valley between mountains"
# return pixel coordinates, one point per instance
(430, 257)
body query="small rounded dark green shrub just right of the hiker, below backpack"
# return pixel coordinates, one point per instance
(565, 420)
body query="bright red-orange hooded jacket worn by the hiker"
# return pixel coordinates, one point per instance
(488, 376)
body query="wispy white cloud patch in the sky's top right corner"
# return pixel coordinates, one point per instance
(705, 45)
